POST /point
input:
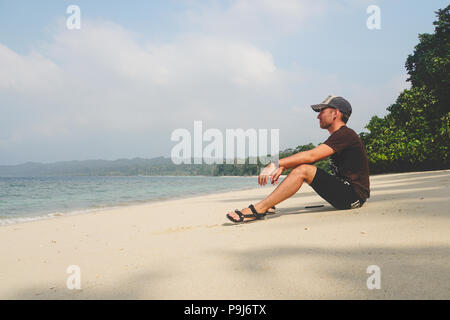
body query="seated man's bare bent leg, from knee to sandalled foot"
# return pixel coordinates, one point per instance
(290, 185)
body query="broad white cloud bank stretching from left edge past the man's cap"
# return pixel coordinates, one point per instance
(105, 92)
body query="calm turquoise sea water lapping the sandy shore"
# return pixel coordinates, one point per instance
(31, 198)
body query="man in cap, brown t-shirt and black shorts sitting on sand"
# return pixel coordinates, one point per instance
(346, 188)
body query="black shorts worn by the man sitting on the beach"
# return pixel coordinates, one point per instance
(338, 192)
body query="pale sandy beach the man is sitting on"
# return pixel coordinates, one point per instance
(187, 249)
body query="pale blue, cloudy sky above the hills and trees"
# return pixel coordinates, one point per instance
(136, 71)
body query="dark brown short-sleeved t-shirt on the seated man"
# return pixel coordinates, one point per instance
(350, 160)
